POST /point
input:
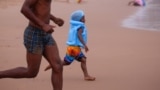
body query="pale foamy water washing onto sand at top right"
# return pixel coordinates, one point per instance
(145, 18)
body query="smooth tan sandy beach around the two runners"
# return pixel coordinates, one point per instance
(120, 58)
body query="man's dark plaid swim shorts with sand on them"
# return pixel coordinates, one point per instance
(36, 39)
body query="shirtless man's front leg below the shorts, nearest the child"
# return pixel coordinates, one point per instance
(52, 55)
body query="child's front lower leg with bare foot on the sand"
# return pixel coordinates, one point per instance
(85, 72)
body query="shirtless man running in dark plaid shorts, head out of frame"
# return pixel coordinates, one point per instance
(39, 42)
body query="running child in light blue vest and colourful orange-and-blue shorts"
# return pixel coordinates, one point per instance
(77, 39)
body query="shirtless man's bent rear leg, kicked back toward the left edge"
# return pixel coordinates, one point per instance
(31, 71)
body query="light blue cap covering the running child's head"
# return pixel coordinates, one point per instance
(77, 15)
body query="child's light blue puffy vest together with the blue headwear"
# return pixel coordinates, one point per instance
(75, 24)
